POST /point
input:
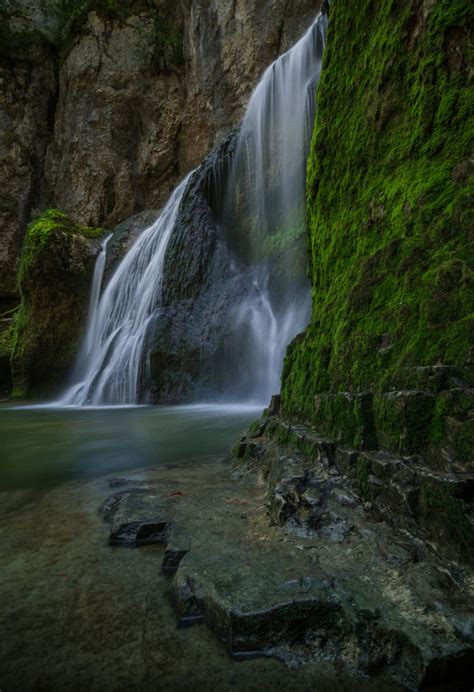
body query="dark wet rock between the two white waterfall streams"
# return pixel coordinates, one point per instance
(186, 341)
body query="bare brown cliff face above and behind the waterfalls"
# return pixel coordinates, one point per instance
(102, 115)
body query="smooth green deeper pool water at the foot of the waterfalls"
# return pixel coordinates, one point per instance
(43, 446)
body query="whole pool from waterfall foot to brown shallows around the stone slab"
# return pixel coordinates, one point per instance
(79, 614)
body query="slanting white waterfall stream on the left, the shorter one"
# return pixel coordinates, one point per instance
(109, 363)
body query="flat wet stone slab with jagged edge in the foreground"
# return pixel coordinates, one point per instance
(350, 588)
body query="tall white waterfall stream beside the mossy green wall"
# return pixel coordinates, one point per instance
(265, 209)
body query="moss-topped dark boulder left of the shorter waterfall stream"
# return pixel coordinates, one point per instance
(56, 268)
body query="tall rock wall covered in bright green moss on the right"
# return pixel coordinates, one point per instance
(390, 214)
